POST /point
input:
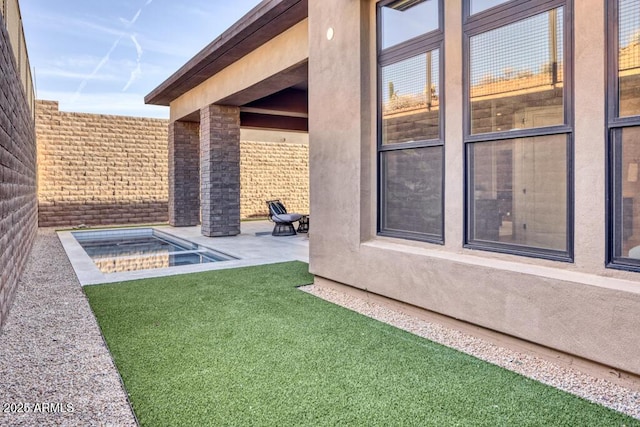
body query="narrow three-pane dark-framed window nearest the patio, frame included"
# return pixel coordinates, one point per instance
(410, 145)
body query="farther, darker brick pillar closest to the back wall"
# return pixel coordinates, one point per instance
(184, 174)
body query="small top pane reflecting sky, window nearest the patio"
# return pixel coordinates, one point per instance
(406, 19)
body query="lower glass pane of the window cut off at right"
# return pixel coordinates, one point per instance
(629, 217)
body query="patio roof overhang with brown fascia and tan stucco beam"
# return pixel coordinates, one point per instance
(261, 58)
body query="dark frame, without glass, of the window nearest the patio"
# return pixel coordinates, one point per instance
(424, 43)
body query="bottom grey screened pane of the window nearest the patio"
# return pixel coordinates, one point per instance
(412, 190)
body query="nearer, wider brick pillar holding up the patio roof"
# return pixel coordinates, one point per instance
(220, 170)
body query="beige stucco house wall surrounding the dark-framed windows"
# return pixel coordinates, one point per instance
(581, 308)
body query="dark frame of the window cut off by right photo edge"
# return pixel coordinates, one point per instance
(613, 137)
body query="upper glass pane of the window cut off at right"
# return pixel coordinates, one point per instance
(629, 57)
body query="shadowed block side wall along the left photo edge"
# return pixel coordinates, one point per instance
(18, 201)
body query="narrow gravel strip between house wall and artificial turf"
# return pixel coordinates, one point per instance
(571, 380)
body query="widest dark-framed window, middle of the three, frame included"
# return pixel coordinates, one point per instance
(518, 132)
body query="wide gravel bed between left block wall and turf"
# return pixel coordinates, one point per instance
(54, 365)
